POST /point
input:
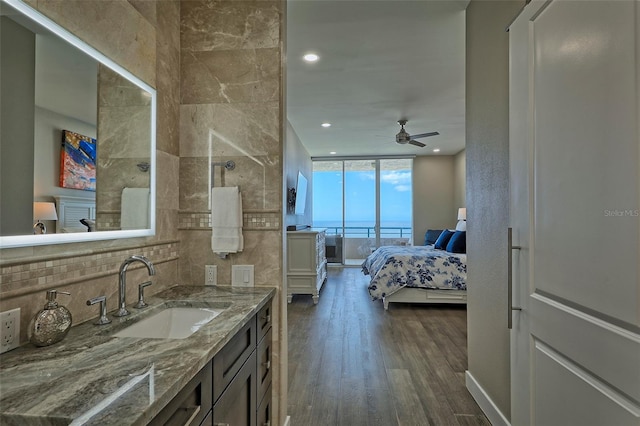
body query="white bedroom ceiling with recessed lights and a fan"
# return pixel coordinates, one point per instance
(380, 61)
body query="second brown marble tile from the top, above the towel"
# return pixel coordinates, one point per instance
(247, 75)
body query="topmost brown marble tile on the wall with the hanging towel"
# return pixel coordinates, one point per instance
(223, 25)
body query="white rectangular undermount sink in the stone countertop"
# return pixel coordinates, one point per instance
(171, 323)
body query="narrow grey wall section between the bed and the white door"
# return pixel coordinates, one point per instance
(487, 152)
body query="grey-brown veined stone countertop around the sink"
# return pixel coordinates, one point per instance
(94, 378)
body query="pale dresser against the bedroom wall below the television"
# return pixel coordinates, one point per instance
(306, 263)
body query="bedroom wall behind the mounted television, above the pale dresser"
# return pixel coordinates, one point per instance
(296, 158)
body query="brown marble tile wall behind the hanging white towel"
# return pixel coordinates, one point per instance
(232, 109)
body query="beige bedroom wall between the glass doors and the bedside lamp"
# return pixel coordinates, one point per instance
(433, 195)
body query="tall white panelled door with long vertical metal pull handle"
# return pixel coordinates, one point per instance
(575, 191)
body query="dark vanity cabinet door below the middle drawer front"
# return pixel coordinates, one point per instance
(237, 404)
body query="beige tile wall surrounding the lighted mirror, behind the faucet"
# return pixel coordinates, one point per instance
(125, 32)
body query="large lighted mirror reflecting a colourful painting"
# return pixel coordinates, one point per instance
(78, 134)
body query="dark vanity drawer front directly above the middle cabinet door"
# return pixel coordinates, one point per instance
(231, 358)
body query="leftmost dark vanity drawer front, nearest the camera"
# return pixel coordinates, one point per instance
(191, 405)
